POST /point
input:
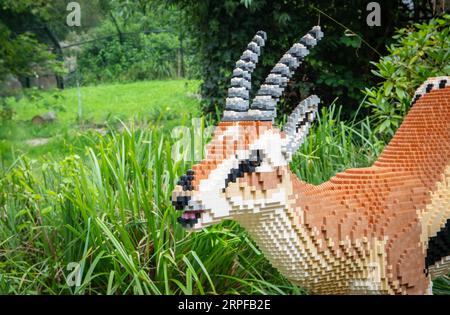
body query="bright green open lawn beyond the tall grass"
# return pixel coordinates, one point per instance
(166, 102)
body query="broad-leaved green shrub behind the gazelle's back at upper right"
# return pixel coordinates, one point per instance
(420, 51)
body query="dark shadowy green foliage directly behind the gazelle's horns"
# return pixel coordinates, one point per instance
(338, 66)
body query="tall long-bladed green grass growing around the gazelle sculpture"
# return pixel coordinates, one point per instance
(109, 211)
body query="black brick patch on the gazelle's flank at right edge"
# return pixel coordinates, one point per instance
(438, 246)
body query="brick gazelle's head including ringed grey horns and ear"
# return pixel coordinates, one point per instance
(245, 169)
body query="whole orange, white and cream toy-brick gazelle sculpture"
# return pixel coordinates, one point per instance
(384, 229)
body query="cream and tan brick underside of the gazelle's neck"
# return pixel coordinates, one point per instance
(281, 234)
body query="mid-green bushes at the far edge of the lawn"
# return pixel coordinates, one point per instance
(136, 41)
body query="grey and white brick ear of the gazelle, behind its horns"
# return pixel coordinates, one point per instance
(298, 124)
